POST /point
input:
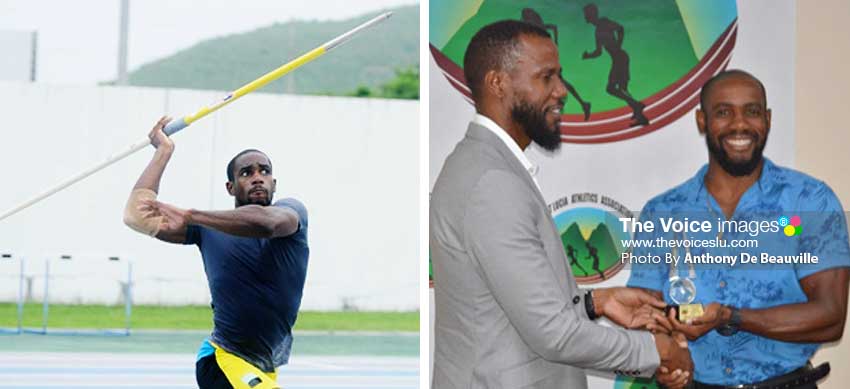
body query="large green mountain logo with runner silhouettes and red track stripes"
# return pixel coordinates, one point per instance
(630, 67)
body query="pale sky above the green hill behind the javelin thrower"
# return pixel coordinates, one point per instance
(78, 40)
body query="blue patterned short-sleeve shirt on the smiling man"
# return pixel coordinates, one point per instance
(745, 357)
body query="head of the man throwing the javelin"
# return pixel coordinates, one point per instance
(253, 182)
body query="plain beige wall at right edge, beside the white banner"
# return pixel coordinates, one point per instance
(822, 89)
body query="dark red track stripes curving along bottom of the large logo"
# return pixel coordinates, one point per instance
(586, 134)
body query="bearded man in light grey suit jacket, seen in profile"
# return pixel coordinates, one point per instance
(508, 312)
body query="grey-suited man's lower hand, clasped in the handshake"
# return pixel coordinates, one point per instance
(676, 368)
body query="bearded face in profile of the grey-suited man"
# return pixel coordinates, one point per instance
(538, 92)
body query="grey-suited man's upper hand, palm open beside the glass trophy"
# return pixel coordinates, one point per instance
(631, 308)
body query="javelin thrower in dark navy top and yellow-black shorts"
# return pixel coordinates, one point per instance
(255, 257)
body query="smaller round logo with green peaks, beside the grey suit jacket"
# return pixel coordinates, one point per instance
(591, 234)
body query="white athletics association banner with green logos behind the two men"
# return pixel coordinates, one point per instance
(634, 71)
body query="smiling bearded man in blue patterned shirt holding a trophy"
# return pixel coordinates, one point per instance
(767, 312)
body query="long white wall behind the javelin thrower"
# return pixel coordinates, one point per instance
(353, 162)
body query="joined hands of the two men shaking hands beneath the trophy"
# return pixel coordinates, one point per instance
(637, 309)
